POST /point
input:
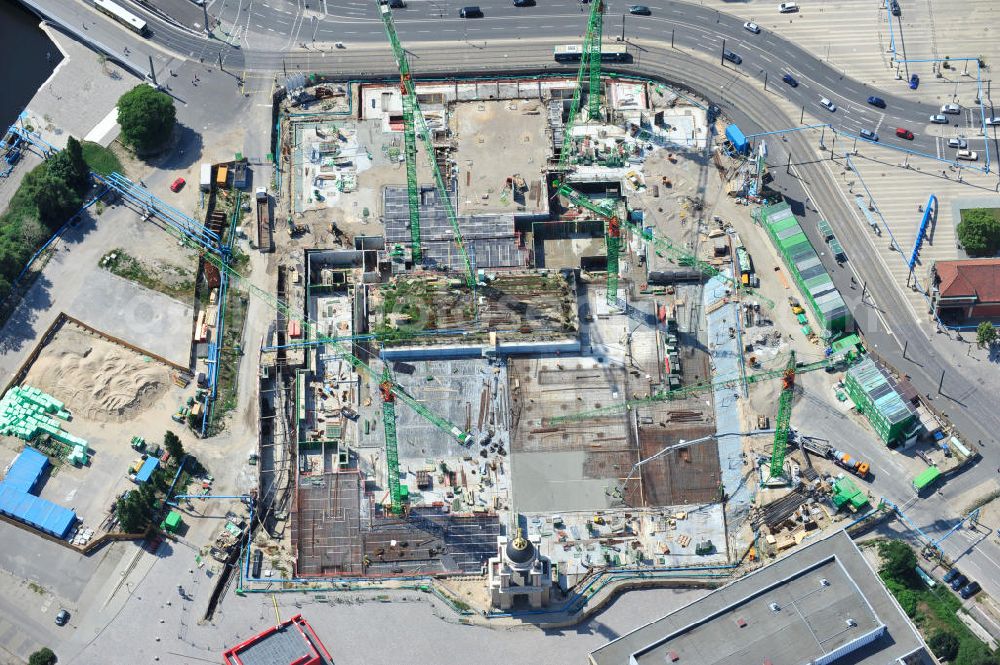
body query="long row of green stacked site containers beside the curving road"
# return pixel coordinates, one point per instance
(808, 272)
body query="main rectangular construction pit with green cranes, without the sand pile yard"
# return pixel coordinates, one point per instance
(532, 323)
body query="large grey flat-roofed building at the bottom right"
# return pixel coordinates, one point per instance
(821, 604)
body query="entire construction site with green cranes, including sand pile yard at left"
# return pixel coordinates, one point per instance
(519, 331)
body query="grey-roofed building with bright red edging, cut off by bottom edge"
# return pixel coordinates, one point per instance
(291, 642)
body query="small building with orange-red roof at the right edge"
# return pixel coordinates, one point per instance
(968, 289)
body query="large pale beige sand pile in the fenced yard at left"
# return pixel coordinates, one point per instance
(98, 380)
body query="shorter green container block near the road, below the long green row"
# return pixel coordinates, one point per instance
(874, 394)
